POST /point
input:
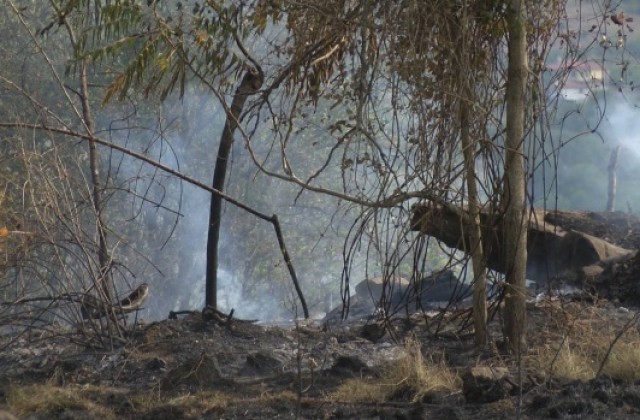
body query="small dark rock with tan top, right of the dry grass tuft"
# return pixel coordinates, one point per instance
(484, 384)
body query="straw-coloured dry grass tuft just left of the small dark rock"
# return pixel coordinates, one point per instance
(412, 377)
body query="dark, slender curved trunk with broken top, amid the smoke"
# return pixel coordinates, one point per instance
(251, 82)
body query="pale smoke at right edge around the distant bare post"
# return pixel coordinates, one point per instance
(576, 175)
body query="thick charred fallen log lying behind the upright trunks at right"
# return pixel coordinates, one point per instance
(558, 243)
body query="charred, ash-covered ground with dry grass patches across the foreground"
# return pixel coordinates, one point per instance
(193, 367)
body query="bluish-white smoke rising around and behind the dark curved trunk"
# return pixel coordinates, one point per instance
(170, 220)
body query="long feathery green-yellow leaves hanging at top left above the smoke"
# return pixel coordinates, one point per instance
(155, 47)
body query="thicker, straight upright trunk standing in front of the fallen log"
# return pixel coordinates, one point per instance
(515, 182)
